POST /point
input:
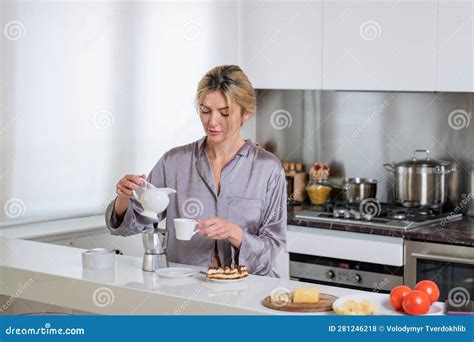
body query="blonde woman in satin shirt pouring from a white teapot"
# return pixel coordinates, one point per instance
(236, 190)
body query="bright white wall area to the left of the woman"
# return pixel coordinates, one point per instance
(94, 90)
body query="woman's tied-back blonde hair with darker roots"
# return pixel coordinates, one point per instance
(234, 85)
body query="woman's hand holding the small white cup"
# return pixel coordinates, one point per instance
(219, 229)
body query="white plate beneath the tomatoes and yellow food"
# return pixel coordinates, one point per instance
(382, 301)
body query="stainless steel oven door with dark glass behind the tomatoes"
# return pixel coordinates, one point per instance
(449, 266)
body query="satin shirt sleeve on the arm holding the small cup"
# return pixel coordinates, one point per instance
(258, 252)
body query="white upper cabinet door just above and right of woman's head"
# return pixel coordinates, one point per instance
(281, 43)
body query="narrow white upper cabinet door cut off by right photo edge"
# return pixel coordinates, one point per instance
(455, 45)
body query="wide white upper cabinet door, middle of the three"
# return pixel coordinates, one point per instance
(379, 45)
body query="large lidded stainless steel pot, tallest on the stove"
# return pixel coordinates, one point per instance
(420, 182)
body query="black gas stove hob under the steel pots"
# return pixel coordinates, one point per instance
(375, 214)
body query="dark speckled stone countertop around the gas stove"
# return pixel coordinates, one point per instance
(459, 232)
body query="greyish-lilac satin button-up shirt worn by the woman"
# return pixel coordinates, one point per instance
(252, 195)
